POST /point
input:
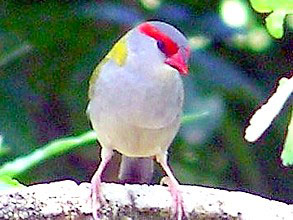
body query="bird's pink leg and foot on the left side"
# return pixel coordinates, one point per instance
(97, 197)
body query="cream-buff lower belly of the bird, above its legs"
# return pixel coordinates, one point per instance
(130, 140)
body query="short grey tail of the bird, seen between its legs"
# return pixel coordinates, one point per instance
(136, 169)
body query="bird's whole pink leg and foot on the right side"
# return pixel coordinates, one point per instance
(178, 208)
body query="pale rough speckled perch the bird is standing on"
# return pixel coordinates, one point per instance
(67, 200)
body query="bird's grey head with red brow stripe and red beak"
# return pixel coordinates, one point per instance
(155, 40)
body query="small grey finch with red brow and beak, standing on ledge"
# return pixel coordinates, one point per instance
(135, 104)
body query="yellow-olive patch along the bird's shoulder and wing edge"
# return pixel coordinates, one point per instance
(118, 54)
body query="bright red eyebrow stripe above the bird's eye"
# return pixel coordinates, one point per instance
(150, 30)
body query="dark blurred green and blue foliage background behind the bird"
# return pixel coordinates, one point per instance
(49, 49)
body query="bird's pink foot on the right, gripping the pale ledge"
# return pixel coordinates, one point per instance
(178, 208)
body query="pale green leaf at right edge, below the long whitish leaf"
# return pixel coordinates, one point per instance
(287, 153)
